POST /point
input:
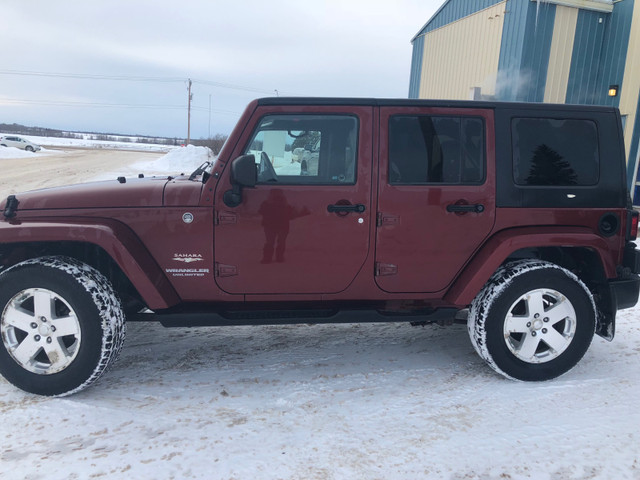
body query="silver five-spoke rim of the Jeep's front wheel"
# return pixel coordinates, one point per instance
(40, 331)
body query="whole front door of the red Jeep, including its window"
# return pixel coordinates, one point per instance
(304, 228)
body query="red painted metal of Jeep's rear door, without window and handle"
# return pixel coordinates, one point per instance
(429, 245)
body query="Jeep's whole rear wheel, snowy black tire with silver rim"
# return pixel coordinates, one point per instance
(533, 320)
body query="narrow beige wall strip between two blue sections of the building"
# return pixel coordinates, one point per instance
(564, 32)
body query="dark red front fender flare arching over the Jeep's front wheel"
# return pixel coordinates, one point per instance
(114, 237)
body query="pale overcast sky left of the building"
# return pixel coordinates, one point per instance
(234, 51)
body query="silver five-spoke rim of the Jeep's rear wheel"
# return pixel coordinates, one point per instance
(540, 325)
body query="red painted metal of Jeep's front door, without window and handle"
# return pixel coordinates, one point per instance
(284, 240)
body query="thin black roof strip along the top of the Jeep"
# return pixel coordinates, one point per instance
(404, 102)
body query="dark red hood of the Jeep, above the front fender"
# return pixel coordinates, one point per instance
(133, 192)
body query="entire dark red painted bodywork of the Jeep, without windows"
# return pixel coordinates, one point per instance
(171, 236)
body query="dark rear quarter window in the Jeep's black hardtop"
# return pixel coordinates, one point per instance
(555, 152)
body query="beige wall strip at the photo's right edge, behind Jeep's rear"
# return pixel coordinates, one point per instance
(631, 83)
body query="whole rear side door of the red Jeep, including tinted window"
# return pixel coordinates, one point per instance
(436, 200)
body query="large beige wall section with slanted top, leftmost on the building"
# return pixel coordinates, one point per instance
(462, 55)
